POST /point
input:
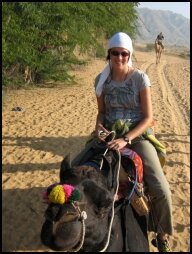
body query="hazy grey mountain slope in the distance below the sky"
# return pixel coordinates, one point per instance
(175, 27)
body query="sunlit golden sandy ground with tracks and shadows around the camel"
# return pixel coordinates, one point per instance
(57, 121)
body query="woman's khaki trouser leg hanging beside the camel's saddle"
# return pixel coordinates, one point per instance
(158, 188)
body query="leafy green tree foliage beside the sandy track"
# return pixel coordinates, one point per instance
(39, 38)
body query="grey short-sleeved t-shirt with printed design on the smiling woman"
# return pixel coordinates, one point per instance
(122, 100)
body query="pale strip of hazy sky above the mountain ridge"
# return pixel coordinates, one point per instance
(177, 7)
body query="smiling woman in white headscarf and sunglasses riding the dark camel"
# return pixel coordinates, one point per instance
(123, 94)
